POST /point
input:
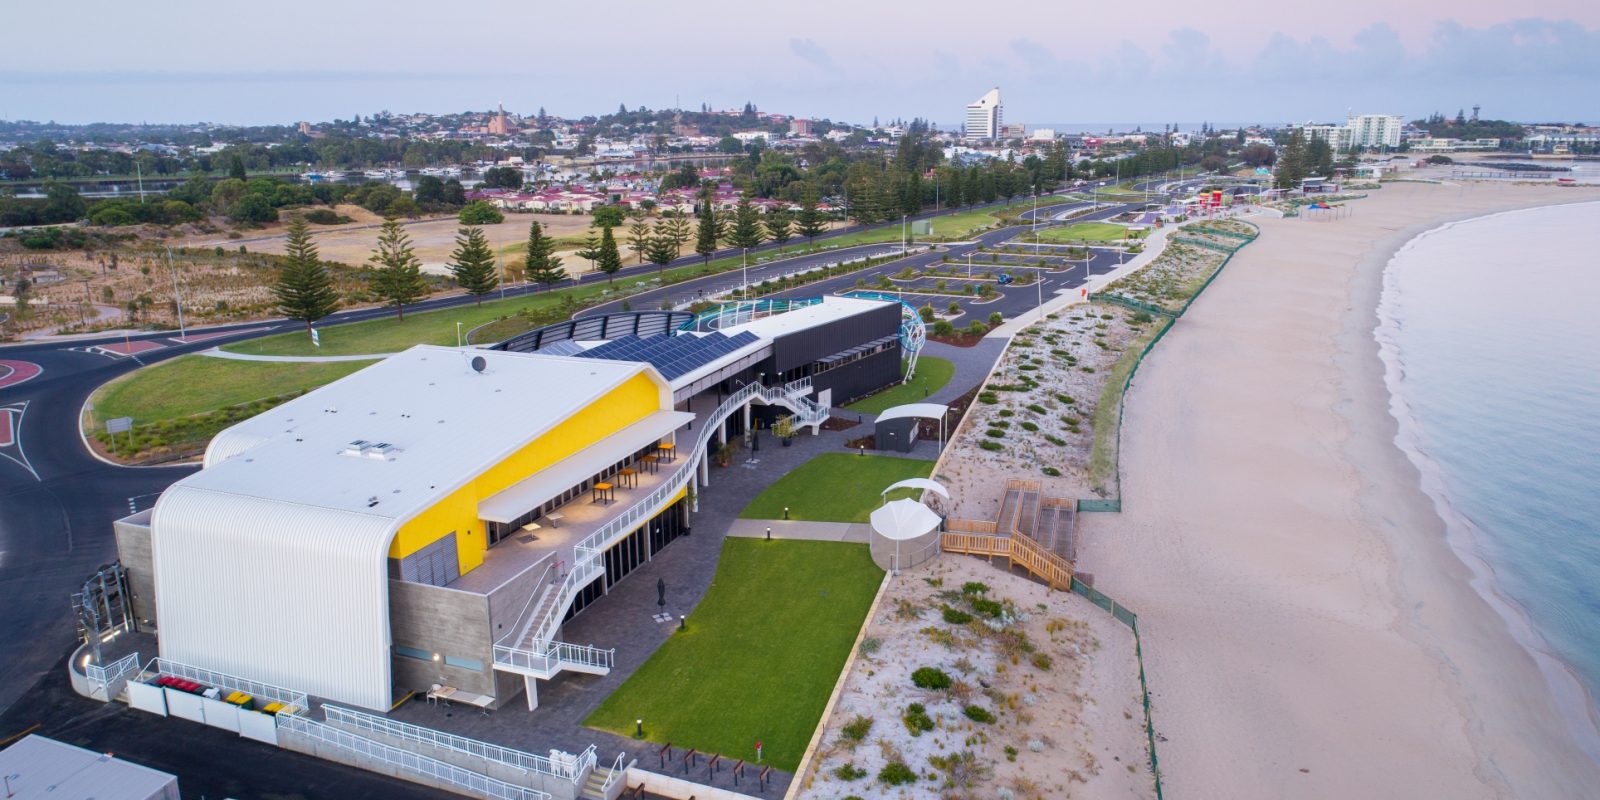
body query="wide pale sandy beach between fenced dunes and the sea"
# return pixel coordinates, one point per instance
(1310, 630)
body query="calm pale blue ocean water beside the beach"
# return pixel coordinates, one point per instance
(1490, 330)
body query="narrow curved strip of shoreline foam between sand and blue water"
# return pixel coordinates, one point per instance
(1575, 702)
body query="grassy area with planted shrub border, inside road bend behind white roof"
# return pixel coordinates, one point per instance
(178, 406)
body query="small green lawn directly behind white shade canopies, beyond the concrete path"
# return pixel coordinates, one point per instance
(834, 487)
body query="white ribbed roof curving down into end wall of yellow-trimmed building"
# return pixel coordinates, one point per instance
(271, 561)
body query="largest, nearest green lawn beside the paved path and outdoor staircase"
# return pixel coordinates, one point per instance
(759, 658)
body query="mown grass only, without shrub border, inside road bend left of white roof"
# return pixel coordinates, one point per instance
(191, 385)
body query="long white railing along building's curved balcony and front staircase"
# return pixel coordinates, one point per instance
(588, 553)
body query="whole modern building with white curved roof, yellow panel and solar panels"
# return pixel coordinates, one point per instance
(434, 519)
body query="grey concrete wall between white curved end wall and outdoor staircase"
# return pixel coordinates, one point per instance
(442, 622)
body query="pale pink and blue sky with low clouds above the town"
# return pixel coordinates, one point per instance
(1154, 62)
